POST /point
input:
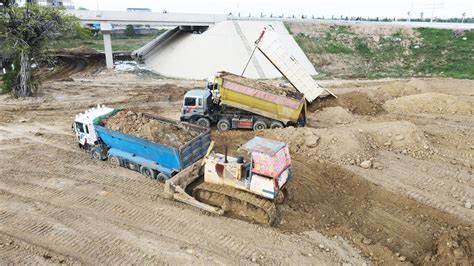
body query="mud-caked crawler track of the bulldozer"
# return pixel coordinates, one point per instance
(237, 203)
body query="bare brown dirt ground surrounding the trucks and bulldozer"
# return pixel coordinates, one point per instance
(383, 175)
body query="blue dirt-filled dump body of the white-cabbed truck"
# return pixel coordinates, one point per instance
(163, 158)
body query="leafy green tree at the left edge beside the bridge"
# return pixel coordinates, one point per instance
(27, 31)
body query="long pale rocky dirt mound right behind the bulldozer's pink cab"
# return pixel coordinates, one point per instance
(356, 142)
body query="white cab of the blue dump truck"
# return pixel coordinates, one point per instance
(83, 125)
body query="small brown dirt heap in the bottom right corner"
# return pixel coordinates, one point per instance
(451, 249)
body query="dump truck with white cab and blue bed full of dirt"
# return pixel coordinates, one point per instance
(160, 158)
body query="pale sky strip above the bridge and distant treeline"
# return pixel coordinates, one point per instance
(318, 8)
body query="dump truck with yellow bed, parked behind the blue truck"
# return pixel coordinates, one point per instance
(231, 101)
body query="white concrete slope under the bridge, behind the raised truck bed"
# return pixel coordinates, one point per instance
(224, 46)
